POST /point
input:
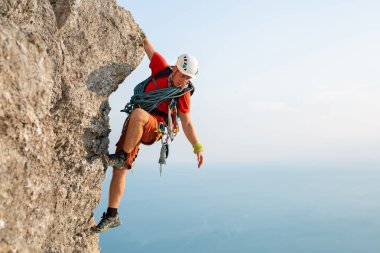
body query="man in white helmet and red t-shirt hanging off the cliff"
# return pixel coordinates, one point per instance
(152, 116)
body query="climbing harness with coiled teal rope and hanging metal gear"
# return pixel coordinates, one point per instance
(149, 101)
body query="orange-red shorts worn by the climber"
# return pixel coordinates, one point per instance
(150, 135)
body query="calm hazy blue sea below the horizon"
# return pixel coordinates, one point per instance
(247, 210)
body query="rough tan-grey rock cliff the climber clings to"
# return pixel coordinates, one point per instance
(59, 62)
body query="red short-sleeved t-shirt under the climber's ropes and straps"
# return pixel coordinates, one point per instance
(157, 64)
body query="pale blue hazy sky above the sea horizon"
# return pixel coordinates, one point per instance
(280, 82)
